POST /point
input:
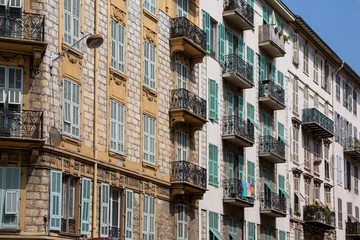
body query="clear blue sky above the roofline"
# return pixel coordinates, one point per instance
(336, 22)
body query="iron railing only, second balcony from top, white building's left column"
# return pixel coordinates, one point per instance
(234, 64)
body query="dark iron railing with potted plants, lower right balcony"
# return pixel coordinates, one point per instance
(319, 214)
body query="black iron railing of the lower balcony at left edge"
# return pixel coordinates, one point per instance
(24, 124)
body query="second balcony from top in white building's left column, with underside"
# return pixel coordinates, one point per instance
(238, 72)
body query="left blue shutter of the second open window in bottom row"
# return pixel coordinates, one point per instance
(104, 208)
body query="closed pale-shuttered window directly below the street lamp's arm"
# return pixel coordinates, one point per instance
(71, 109)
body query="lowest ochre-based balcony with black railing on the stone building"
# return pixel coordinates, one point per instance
(187, 179)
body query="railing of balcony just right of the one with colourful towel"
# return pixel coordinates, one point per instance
(273, 201)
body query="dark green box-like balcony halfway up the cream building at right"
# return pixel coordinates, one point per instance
(318, 123)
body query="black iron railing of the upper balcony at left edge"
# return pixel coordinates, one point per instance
(21, 25)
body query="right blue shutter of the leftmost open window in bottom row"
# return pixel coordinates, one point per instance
(85, 206)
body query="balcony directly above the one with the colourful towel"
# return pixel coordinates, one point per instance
(237, 131)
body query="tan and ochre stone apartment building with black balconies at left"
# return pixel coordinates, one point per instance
(100, 142)
